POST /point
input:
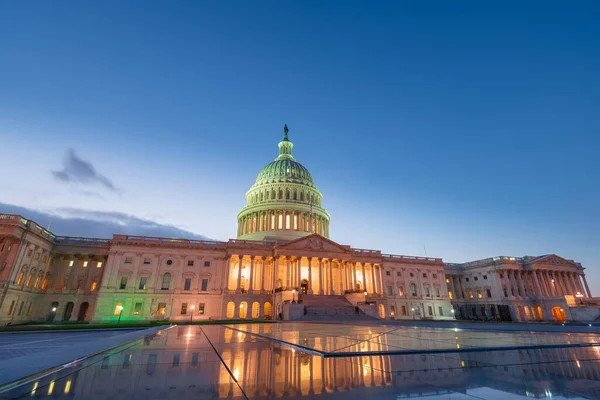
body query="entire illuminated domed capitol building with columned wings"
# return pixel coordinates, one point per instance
(282, 265)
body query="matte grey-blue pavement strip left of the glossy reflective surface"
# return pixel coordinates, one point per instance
(27, 353)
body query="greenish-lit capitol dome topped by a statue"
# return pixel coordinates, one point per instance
(283, 203)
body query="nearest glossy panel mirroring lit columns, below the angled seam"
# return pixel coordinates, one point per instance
(180, 363)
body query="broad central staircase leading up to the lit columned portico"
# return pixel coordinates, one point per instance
(328, 308)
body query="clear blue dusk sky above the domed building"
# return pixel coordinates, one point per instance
(458, 130)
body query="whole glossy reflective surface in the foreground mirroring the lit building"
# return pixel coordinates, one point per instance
(255, 361)
